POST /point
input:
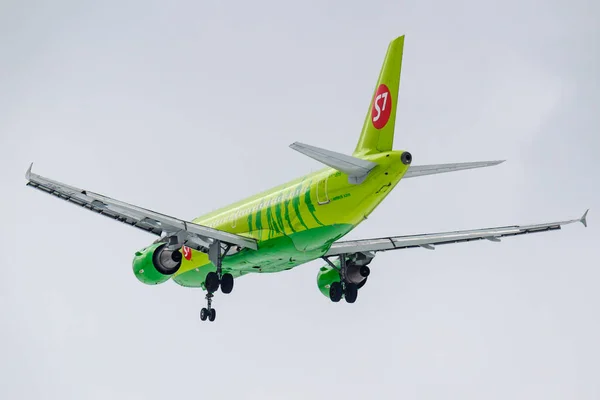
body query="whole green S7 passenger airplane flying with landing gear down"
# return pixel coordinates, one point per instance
(297, 222)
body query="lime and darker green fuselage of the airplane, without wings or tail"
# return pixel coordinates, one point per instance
(296, 222)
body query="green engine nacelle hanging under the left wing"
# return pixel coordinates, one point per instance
(156, 263)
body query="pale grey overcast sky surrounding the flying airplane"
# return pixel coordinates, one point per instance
(183, 107)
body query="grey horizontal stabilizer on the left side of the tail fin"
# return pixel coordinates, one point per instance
(356, 168)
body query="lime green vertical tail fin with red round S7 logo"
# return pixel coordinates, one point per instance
(378, 130)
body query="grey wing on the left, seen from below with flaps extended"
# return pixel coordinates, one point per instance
(193, 235)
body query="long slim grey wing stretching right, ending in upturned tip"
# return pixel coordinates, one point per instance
(430, 240)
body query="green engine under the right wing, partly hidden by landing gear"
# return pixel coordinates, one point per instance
(357, 272)
